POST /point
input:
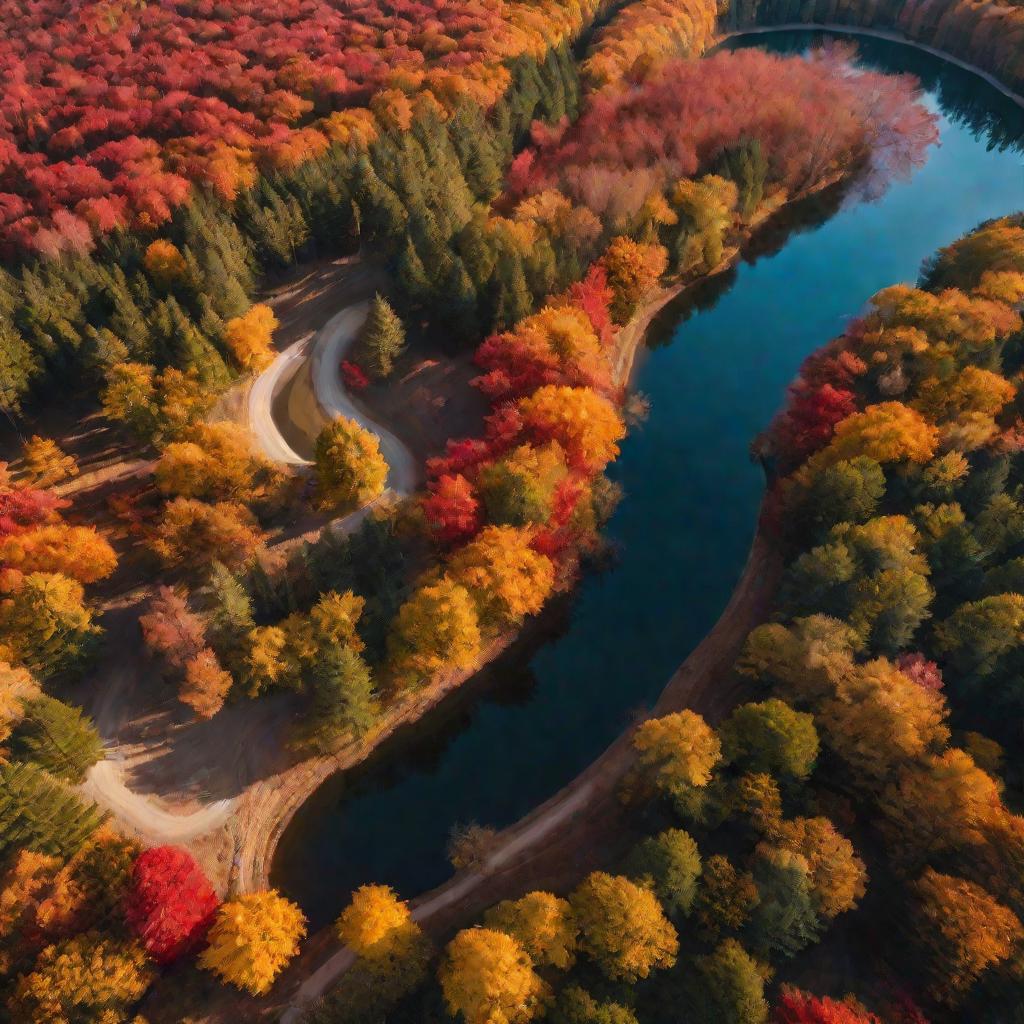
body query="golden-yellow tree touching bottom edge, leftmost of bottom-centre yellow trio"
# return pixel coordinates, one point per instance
(488, 978)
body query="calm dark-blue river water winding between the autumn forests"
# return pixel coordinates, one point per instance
(714, 377)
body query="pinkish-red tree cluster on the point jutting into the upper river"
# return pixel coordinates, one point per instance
(796, 124)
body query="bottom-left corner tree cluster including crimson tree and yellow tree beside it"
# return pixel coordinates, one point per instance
(87, 918)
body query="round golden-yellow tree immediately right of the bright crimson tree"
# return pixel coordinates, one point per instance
(252, 938)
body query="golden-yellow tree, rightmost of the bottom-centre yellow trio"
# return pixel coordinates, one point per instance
(623, 927)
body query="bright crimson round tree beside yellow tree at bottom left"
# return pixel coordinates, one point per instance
(169, 905)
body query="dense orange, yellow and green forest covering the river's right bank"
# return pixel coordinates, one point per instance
(902, 527)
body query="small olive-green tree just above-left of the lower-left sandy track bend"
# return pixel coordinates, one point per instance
(59, 738)
